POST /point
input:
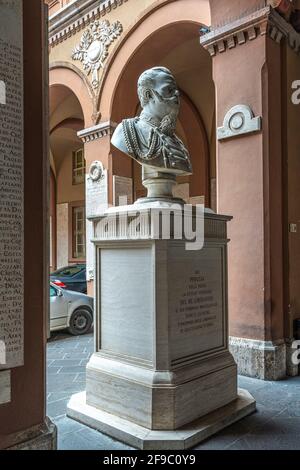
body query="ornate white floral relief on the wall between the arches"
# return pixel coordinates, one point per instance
(93, 47)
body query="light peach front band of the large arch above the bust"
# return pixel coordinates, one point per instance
(158, 17)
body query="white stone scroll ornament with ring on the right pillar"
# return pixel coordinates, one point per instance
(238, 121)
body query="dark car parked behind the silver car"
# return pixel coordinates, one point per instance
(71, 277)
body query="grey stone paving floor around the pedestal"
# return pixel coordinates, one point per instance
(275, 425)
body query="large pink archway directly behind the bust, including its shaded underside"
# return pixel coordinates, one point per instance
(154, 36)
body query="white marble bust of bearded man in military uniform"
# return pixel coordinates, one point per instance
(150, 138)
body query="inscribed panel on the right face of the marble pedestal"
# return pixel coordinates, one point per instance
(197, 304)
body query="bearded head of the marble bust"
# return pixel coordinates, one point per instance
(158, 93)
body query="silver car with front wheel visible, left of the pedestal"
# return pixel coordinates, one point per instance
(72, 310)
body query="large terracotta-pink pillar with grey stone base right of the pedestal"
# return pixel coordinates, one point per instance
(248, 58)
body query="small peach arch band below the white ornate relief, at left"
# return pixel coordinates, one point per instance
(67, 75)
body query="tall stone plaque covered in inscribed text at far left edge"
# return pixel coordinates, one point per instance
(11, 184)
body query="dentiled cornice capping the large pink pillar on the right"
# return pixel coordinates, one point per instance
(260, 23)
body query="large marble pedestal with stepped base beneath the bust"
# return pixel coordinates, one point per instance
(161, 358)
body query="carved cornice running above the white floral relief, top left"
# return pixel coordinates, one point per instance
(76, 16)
